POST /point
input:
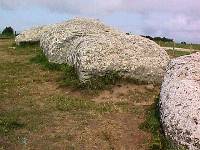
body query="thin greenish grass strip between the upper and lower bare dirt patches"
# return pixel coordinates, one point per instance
(71, 104)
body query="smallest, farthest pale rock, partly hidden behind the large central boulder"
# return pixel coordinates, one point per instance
(32, 35)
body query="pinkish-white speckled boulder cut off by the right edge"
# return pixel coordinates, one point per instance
(180, 101)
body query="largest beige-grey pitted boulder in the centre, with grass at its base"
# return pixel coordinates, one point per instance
(94, 49)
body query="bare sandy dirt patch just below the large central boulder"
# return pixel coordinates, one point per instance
(124, 92)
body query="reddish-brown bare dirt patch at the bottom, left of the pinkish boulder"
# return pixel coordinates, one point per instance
(116, 131)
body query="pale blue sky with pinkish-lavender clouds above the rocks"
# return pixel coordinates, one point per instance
(177, 19)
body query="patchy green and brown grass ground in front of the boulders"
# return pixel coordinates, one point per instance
(38, 111)
